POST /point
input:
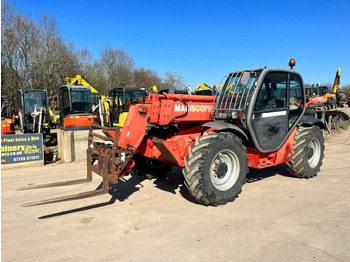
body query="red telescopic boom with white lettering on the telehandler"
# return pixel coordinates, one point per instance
(163, 111)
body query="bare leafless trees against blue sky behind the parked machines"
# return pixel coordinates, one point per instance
(36, 56)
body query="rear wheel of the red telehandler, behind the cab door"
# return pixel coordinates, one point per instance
(308, 152)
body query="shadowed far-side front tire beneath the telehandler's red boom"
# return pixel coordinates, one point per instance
(149, 168)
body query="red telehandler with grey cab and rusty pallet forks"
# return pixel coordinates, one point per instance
(249, 124)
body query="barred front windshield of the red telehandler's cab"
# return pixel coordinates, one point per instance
(235, 94)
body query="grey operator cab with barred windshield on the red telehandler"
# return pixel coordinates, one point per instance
(265, 103)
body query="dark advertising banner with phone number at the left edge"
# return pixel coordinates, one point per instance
(21, 148)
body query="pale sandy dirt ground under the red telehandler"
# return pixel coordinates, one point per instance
(275, 218)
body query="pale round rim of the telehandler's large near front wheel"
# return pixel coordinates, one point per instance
(224, 170)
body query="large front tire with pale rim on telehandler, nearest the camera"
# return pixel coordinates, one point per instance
(216, 168)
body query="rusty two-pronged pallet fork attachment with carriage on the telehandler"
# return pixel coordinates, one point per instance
(103, 154)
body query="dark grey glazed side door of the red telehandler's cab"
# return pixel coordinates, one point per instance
(273, 115)
